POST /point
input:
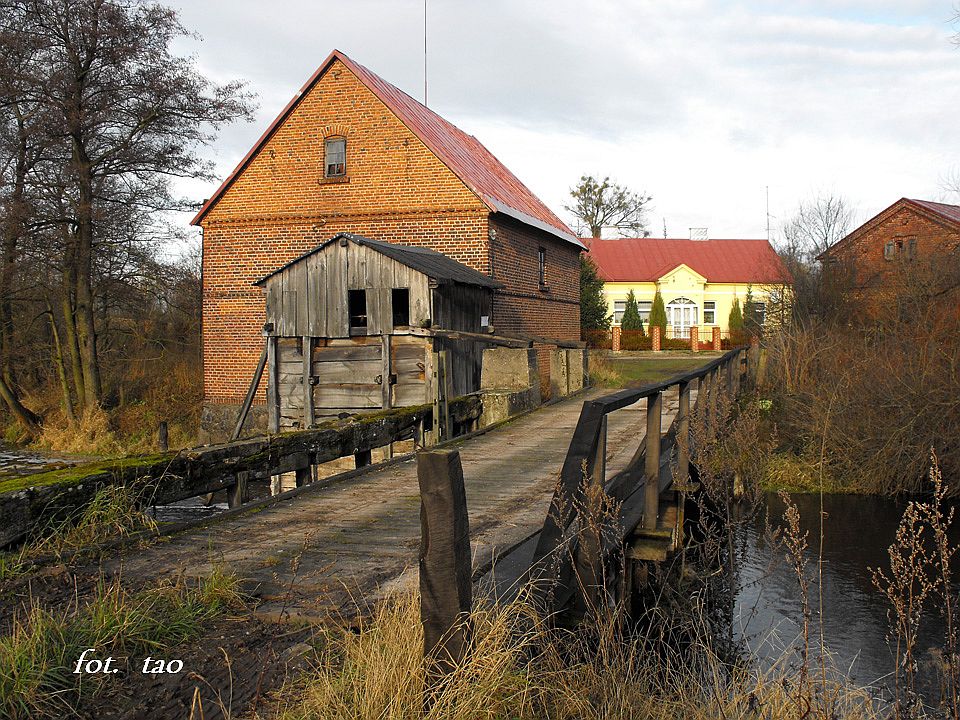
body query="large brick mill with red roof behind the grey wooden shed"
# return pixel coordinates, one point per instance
(353, 153)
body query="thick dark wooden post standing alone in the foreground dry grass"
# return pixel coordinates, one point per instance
(445, 581)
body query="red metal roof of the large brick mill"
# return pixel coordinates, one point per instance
(467, 158)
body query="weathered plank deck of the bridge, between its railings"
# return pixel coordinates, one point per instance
(330, 549)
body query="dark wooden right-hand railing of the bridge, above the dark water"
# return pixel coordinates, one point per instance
(570, 551)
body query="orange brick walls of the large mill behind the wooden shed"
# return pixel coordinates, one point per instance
(281, 206)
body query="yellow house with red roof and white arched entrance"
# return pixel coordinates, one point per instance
(698, 279)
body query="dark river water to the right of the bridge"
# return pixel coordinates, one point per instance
(856, 534)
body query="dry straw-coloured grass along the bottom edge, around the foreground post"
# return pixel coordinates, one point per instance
(519, 668)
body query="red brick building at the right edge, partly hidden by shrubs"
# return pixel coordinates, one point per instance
(908, 252)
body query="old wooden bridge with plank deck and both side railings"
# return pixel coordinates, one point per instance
(326, 546)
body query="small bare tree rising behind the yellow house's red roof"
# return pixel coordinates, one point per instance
(605, 204)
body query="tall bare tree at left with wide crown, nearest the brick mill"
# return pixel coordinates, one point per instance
(123, 115)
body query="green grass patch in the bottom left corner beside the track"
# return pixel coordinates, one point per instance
(39, 655)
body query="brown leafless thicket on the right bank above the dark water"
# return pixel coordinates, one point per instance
(870, 403)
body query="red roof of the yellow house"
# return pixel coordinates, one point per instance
(649, 259)
